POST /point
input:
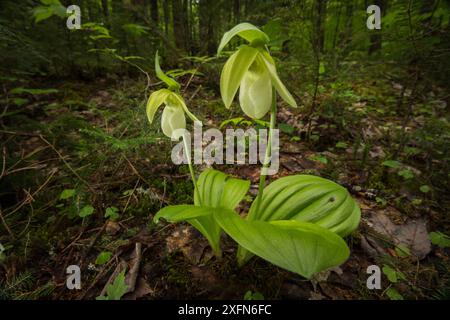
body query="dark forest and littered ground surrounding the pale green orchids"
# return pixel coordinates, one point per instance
(83, 172)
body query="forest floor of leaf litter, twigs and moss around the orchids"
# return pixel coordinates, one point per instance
(88, 145)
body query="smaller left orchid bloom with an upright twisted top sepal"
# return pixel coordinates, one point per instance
(173, 117)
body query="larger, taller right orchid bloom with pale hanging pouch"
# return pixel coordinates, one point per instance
(252, 69)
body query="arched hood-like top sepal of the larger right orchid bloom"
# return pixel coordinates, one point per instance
(246, 31)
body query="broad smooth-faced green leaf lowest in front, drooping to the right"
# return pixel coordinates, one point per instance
(300, 247)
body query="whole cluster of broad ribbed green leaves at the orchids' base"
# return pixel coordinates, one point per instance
(303, 247)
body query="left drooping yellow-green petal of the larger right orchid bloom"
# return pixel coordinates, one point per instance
(233, 72)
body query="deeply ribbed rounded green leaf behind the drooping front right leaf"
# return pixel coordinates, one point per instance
(309, 199)
